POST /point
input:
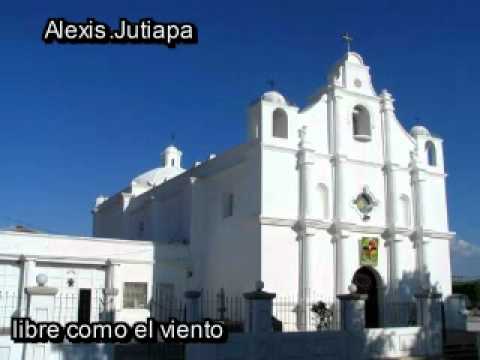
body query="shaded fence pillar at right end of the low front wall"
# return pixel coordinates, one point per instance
(429, 316)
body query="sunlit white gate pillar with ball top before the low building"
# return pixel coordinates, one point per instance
(41, 303)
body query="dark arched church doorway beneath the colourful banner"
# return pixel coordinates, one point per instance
(366, 283)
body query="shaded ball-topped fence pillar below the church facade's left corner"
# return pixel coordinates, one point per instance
(259, 310)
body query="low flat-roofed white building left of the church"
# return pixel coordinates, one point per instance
(82, 269)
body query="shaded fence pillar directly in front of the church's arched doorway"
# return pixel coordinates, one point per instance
(352, 312)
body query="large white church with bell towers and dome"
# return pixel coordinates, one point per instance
(316, 199)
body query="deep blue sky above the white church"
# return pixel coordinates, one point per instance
(80, 120)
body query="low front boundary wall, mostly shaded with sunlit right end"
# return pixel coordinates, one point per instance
(338, 345)
